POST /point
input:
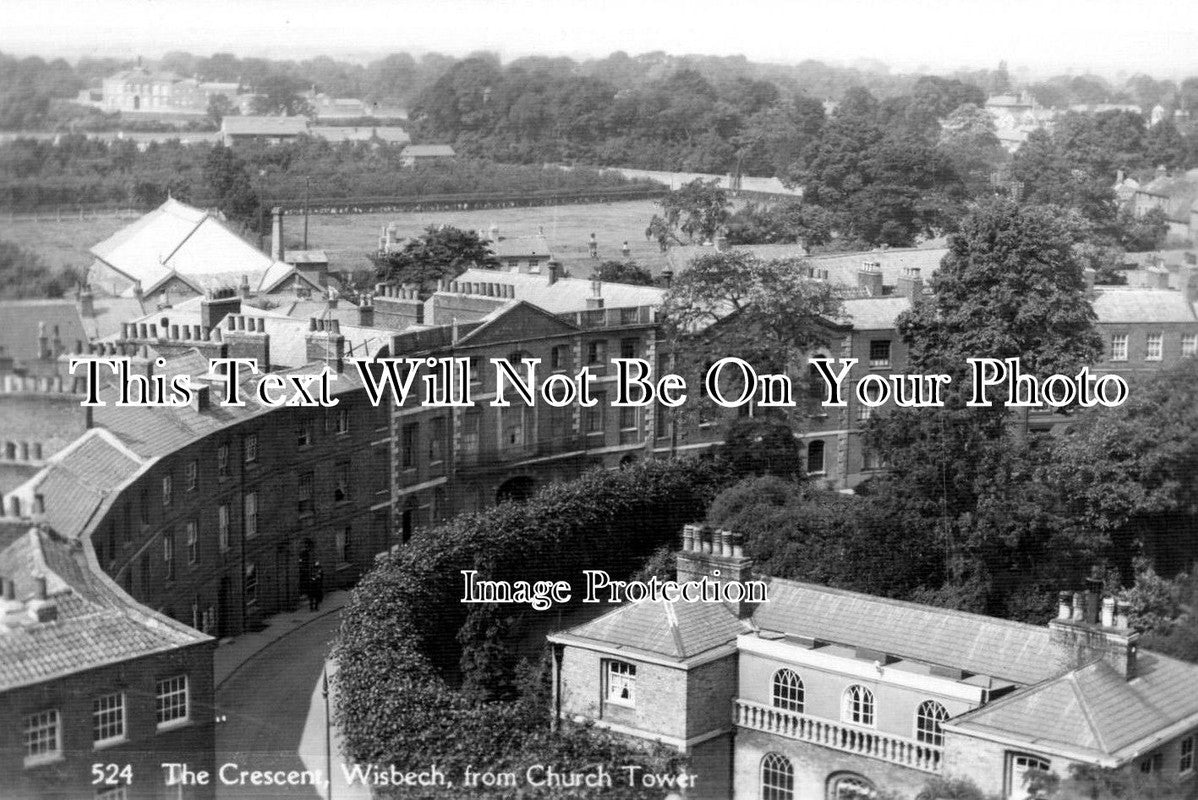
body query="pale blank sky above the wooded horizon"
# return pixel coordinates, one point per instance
(1045, 37)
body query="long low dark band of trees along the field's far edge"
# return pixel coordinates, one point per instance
(78, 172)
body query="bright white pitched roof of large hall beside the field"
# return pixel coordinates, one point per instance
(191, 244)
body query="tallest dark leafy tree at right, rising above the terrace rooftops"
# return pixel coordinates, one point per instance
(1011, 287)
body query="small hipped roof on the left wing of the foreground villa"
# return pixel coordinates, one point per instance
(676, 631)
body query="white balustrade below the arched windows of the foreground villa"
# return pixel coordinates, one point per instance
(838, 736)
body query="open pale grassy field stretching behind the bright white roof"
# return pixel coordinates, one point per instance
(347, 239)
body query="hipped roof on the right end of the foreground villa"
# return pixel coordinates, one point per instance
(1094, 708)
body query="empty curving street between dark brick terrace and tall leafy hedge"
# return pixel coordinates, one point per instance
(269, 694)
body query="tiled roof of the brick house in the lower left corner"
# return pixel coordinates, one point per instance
(98, 625)
